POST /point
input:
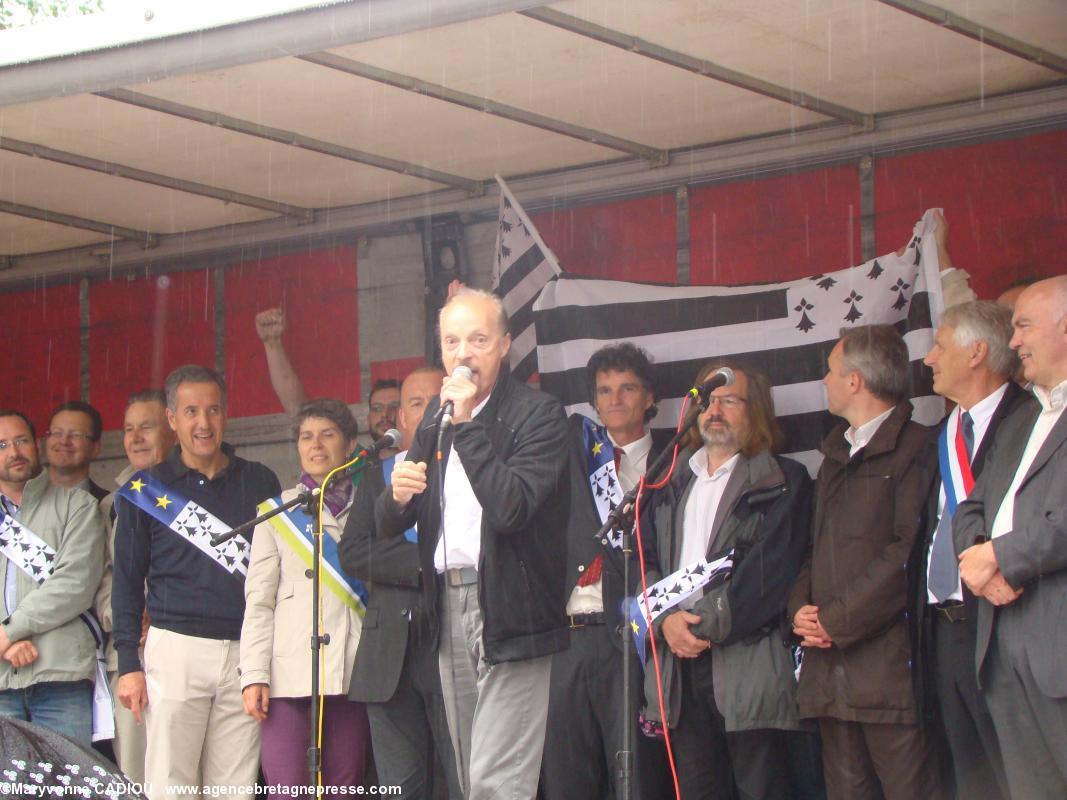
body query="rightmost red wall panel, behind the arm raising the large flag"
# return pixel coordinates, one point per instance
(1006, 203)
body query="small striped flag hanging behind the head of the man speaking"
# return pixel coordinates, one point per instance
(523, 266)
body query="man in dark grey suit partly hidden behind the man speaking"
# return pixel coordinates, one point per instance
(396, 665)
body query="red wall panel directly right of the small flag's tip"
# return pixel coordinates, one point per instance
(630, 241)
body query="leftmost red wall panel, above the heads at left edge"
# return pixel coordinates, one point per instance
(40, 350)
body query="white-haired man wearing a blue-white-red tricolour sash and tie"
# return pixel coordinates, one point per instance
(973, 367)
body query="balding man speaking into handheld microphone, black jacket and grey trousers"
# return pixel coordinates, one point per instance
(492, 568)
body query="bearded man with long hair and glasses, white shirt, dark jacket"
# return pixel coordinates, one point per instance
(729, 693)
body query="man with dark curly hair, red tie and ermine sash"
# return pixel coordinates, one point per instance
(586, 689)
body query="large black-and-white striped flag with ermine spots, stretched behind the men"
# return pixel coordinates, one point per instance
(788, 330)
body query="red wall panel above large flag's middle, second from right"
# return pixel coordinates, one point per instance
(775, 229)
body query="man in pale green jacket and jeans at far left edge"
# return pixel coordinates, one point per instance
(53, 541)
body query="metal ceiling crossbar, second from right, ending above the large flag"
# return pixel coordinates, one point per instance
(699, 67)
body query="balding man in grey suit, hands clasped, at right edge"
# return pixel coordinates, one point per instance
(1012, 533)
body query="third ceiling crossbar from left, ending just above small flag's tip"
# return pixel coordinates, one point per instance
(292, 139)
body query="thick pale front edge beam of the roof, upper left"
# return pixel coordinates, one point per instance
(113, 66)
